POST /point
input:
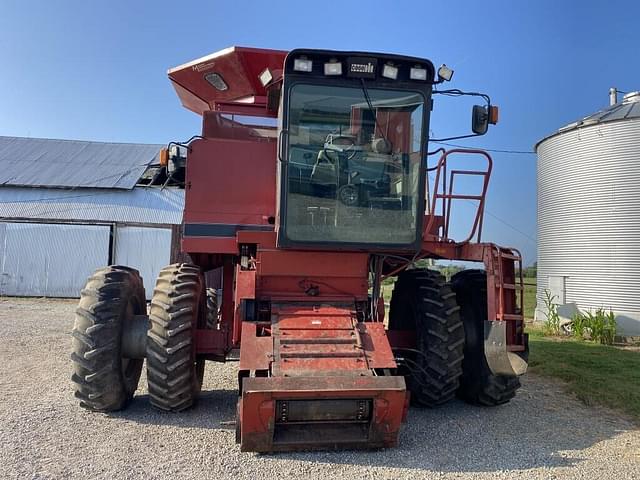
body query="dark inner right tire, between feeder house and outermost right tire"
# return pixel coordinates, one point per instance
(423, 302)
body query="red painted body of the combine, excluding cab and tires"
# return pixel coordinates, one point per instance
(307, 339)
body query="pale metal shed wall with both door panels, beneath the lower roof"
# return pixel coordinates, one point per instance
(55, 259)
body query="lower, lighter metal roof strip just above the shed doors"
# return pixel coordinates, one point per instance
(140, 205)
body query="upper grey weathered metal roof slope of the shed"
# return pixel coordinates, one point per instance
(42, 162)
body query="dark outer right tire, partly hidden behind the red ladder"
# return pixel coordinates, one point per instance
(478, 384)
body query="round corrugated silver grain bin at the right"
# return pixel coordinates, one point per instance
(589, 214)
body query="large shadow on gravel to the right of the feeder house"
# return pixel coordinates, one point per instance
(542, 427)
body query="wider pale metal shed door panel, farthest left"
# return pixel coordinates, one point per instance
(52, 260)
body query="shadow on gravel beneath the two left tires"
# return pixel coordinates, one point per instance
(216, 409)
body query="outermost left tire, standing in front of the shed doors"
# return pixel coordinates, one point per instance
(104, 380)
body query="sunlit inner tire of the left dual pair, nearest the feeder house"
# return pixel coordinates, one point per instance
(173, 373)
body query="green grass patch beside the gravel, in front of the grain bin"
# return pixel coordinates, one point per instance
(596, 374)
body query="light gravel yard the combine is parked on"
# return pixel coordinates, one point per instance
(543, 433)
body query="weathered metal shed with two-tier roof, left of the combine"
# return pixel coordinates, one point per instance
(69, 207)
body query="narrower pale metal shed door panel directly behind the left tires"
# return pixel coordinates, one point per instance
(146, 249)
